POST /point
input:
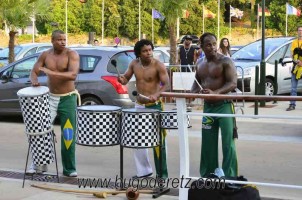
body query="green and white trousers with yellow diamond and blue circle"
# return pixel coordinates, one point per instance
(65, 108)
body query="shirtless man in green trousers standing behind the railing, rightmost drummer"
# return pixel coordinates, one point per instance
(217, 75)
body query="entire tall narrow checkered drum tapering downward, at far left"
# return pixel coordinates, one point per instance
(34, 102)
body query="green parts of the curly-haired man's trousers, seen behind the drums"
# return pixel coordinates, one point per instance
(156, 152)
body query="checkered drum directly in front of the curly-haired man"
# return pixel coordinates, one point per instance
(140, 128)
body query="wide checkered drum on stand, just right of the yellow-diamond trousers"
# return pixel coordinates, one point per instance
(98, 125)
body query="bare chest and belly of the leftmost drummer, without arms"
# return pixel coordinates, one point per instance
(58, 63)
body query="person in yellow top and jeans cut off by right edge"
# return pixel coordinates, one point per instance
(296, 52)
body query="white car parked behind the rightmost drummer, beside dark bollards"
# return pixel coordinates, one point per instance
(248, 57)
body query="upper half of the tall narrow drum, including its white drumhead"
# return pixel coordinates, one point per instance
(34, 103)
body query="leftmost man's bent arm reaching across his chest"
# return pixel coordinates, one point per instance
(73, 68)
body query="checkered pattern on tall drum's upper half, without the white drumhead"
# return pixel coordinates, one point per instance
(36, 114)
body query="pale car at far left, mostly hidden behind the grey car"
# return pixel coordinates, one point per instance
(22, 51)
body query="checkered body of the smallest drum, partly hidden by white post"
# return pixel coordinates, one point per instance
(168, 120)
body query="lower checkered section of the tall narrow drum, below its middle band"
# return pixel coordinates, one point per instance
(42, 148)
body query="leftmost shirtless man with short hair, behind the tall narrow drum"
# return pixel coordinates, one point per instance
(61, 65)
